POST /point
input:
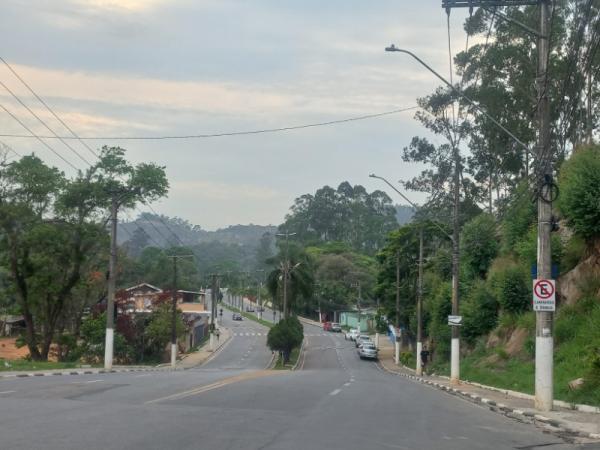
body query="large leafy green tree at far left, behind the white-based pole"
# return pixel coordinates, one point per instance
(52, 232)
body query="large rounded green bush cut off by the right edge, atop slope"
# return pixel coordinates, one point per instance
(579, 184)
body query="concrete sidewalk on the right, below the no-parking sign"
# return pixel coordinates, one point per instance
(582, 424)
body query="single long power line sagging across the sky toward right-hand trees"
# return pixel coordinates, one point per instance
(224, 134)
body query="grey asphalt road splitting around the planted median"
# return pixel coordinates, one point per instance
(334, 401)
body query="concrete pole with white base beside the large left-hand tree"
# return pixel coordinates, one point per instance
(110, 300)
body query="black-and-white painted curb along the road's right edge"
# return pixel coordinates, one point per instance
(558, 427)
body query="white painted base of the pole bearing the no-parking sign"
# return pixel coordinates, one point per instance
(544, 384)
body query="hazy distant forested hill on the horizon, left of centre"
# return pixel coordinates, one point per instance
(153, 230)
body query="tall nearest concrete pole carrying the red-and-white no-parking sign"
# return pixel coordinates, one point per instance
(544, 341)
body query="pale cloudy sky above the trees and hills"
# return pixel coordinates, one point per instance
(117, 68)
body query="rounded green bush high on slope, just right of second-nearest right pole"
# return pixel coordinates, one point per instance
(479, 244)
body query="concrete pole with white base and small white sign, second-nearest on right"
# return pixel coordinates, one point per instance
(455, 342)
